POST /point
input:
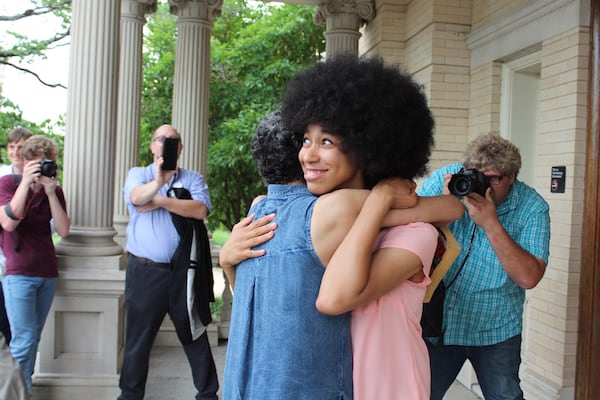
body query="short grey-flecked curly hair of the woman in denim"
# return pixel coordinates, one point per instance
(275, 151)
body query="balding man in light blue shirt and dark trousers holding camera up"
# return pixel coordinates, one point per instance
(152, 242)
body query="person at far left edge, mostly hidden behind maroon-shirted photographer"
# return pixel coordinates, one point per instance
(14, 143)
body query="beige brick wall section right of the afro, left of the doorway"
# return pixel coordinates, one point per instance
(435, 53)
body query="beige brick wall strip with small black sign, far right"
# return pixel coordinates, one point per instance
(552, 324)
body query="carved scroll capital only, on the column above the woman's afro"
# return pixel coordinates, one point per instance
(348, 13)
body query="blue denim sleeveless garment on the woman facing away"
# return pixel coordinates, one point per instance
(280, 346)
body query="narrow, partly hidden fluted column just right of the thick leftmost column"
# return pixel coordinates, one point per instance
(129, 103)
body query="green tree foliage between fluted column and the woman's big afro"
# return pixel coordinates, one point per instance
(254, 52)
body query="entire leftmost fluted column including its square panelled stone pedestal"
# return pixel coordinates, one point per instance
(82, 340)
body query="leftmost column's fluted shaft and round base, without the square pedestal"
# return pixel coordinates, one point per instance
(89, 159)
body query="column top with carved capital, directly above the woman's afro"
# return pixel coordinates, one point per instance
(342, 20)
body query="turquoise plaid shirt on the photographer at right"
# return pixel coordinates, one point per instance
(484, 305)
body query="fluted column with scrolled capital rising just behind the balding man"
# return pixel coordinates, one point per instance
(192, 77)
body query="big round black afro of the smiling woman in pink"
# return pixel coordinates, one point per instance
(380, 113)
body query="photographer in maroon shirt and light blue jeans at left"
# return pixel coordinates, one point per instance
(28, 203)
